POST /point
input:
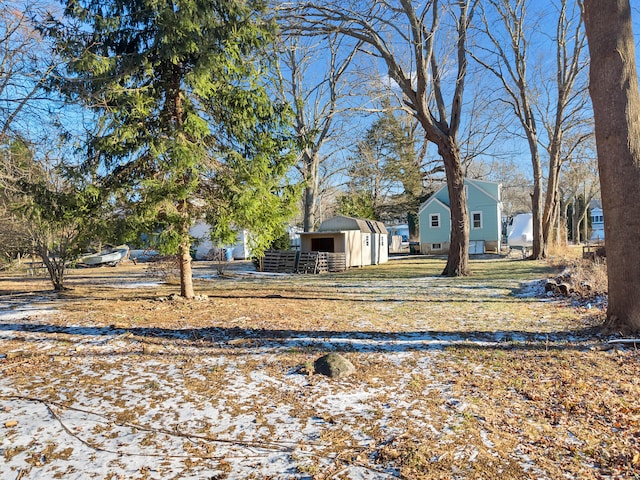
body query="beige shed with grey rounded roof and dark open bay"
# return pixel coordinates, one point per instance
(364, 242)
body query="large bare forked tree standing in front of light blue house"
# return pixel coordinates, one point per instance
(414, 45)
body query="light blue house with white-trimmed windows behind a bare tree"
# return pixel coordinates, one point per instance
(485, 215)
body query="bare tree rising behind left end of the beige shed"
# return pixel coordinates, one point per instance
(313, 81)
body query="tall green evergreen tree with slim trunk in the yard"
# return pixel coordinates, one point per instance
(178, 87)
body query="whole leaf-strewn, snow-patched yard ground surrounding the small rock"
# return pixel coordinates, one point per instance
(477, 377)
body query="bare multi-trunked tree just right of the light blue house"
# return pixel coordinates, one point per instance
(507, 58)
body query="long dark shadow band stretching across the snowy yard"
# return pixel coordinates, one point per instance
(234, 338)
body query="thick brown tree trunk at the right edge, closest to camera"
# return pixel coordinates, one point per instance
(616, 105)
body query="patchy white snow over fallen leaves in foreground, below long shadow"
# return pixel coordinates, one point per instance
(113, 407)
